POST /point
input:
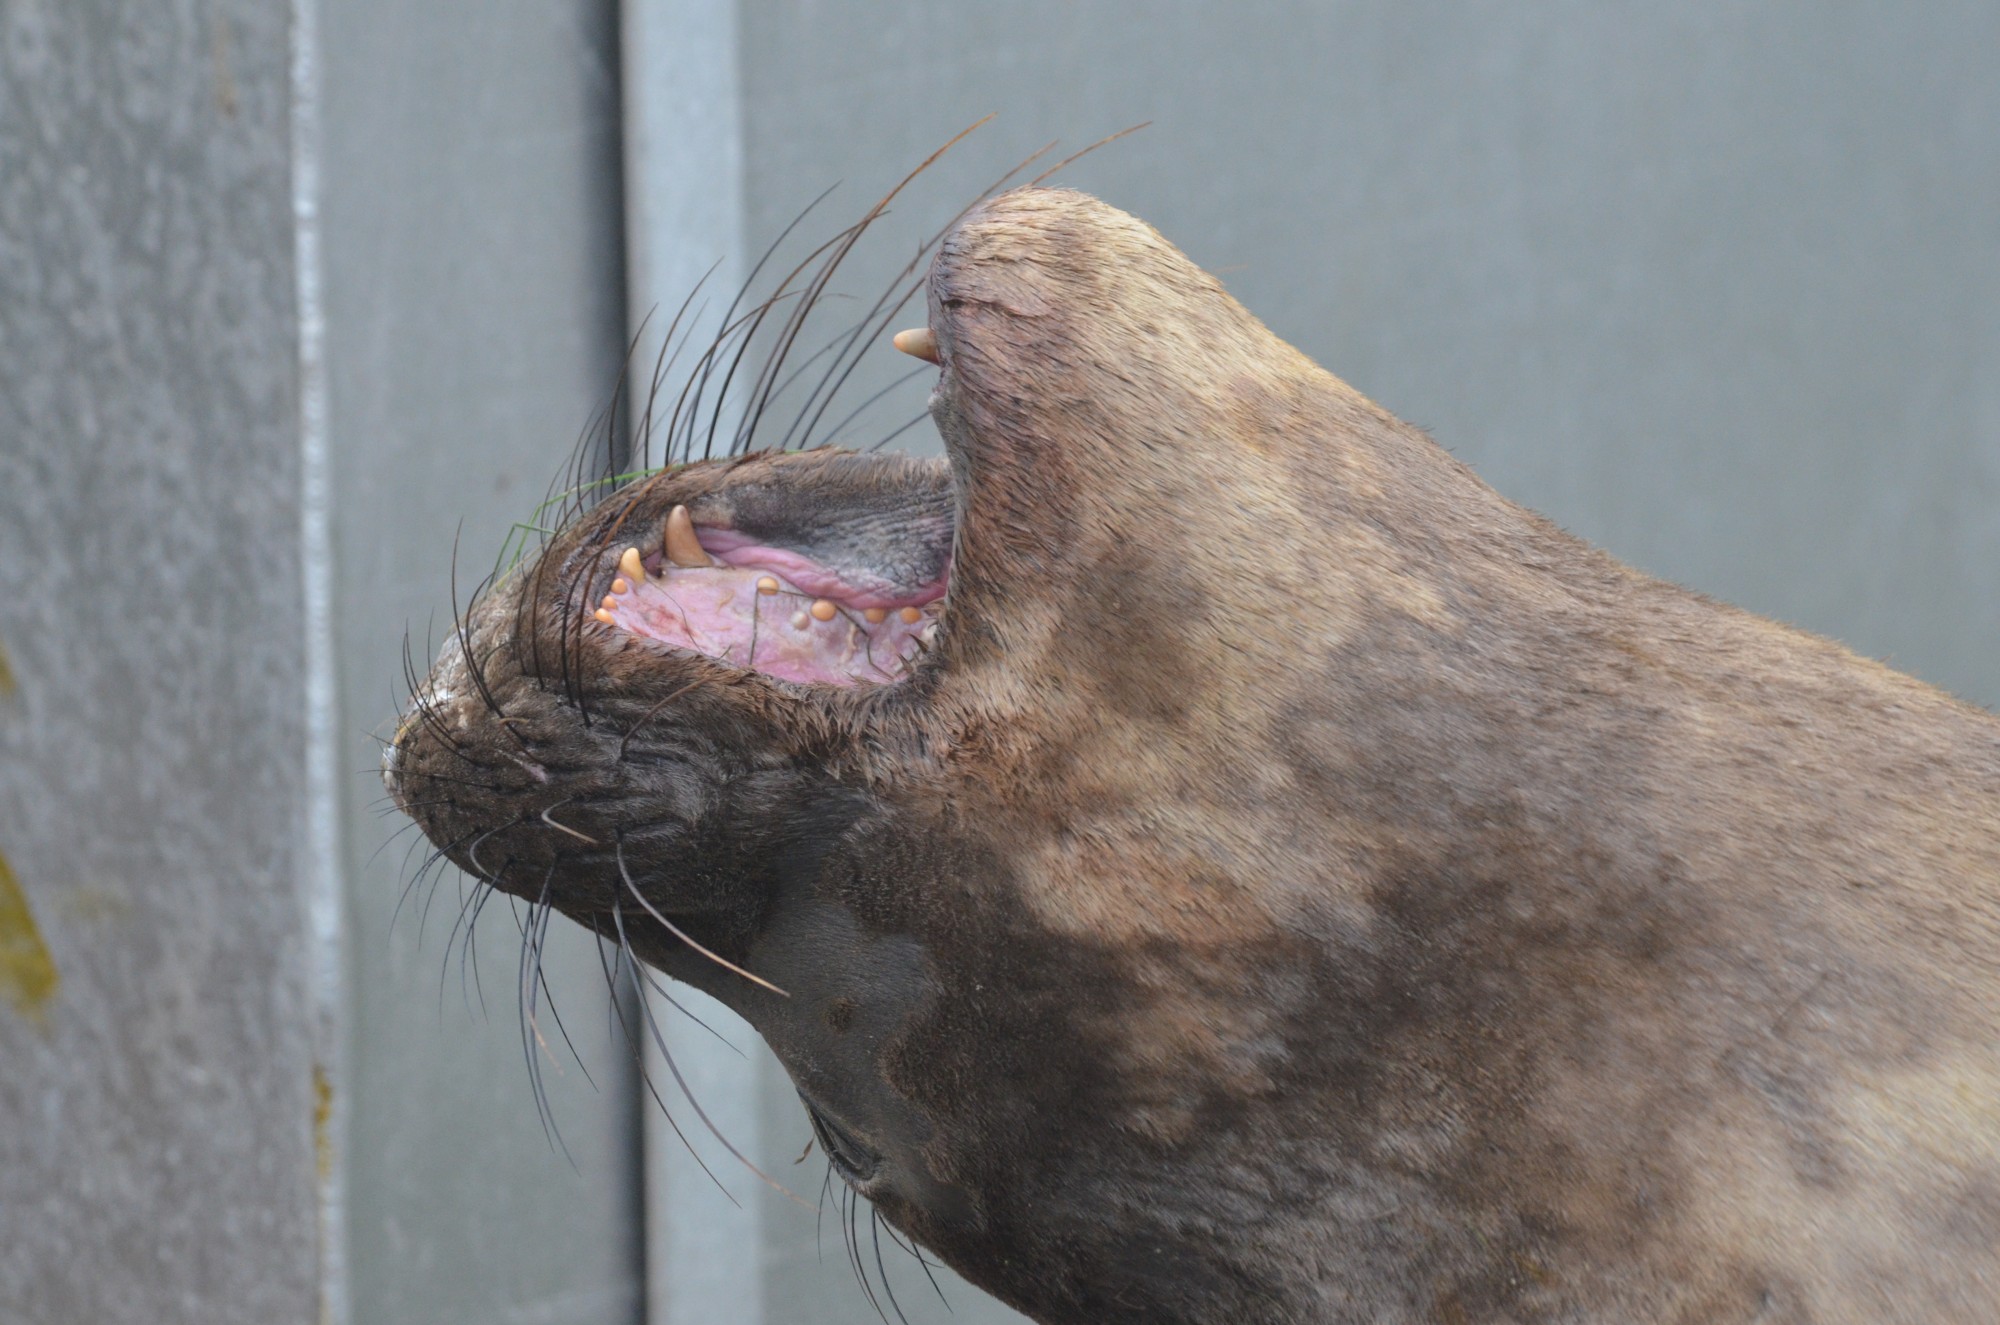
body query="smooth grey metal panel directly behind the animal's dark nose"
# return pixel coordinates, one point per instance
(475, 321)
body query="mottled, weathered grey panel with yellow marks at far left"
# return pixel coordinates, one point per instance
(157, 1022)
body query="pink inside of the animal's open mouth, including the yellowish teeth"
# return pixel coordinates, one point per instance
(771, 609)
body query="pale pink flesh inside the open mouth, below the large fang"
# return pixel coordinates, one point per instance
(719, 611)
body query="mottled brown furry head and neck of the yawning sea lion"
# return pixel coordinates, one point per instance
(1297, 886)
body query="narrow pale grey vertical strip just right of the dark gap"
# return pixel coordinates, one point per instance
(723, 1244)
